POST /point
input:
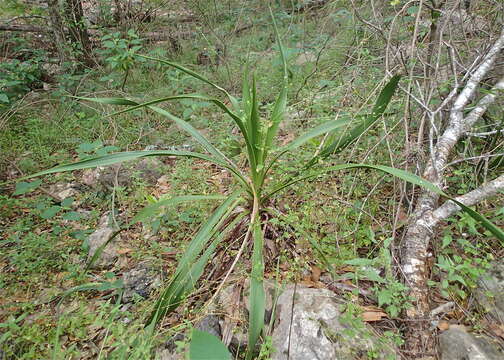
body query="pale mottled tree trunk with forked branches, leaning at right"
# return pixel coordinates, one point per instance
(427, 214)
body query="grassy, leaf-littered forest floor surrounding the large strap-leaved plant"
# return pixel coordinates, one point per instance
(53, 306)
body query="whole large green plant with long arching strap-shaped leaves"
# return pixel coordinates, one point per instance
(253, 189)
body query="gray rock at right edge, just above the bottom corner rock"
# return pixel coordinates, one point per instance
(490, 291)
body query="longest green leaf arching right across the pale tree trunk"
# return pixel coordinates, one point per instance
(404, 175)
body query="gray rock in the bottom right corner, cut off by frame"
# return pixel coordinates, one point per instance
(456, 344)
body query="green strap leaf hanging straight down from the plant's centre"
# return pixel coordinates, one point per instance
(257, 296)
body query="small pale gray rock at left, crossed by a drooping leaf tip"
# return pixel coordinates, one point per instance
(101, 235)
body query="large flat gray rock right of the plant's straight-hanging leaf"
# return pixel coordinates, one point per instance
(309, 327)
